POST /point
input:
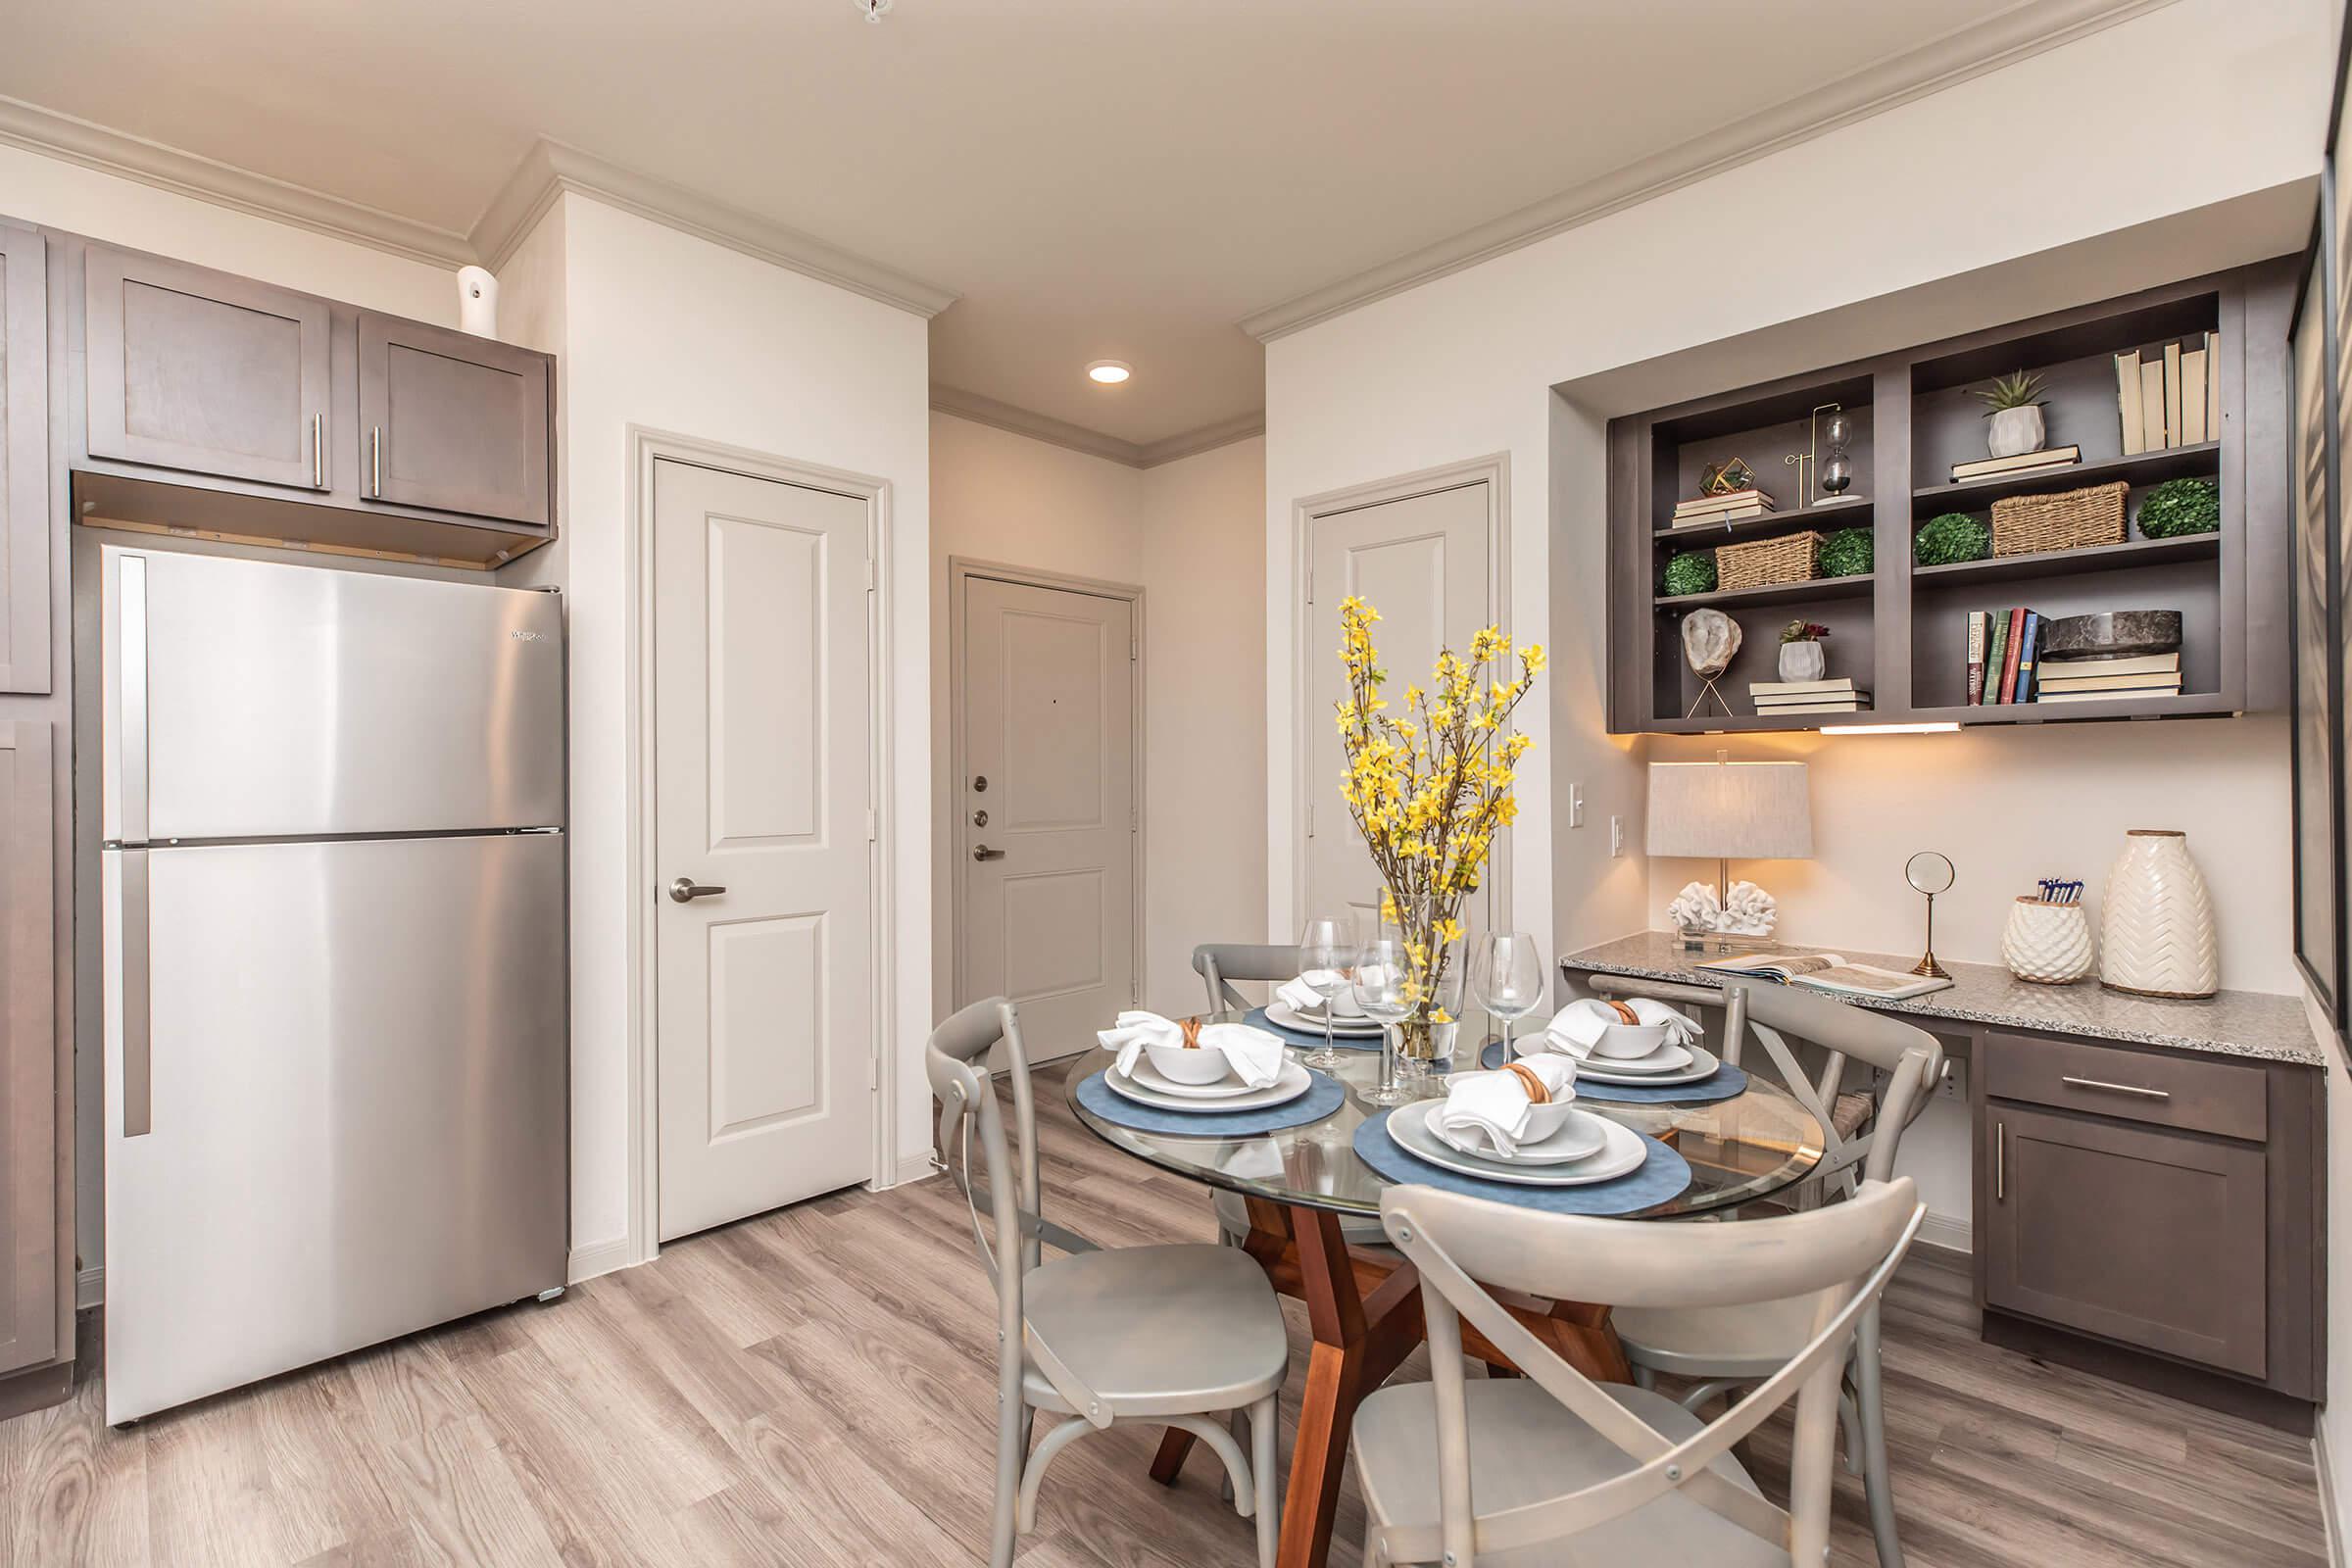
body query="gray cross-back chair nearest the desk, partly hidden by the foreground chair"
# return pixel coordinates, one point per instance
(1728, 1348)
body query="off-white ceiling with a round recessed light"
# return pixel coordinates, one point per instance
(1093, 177)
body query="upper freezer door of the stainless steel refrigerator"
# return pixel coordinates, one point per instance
(250, 699)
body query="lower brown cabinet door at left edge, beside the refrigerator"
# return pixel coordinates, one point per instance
(29, 1268)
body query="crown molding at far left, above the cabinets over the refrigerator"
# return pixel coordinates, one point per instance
(152, 163)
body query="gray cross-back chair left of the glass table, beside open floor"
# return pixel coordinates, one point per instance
(1142, 1334)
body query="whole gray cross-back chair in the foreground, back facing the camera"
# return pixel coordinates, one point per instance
(1553, 1470)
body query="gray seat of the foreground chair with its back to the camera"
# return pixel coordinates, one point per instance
(1525, 1447)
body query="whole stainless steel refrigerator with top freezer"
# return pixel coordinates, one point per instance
(335, 963)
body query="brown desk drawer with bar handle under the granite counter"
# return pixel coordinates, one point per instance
(2160, 1087)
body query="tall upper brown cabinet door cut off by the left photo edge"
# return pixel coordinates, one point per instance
(25, 462)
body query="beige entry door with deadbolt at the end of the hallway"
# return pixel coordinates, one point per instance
(1048, 810)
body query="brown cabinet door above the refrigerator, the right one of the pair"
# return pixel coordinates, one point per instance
(453, 422)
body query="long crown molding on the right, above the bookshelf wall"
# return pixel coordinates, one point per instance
(2017, 34)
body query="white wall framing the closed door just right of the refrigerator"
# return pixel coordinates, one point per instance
(679, 335)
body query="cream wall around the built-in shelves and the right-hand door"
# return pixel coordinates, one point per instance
(1462, 368)
